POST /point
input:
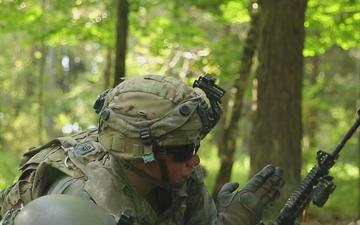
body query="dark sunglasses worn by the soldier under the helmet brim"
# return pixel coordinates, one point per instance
(181, 153)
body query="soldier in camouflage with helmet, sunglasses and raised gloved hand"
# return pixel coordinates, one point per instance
(143, 158)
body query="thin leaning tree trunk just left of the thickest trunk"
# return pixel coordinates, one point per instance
(229, 130)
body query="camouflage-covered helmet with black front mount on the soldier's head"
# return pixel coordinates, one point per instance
(144, 110)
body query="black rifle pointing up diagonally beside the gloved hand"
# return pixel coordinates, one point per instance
(317, 185)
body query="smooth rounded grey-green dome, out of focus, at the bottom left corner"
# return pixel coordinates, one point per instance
(62, 210)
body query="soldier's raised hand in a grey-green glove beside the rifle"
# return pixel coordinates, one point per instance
(245, 206)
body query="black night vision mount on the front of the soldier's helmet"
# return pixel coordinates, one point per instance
(210, 116)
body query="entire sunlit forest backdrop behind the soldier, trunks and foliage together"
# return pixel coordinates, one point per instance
(291, 70)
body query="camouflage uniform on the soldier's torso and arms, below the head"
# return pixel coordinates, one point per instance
(78, 165)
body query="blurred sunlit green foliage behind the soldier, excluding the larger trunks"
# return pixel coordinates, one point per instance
(179, 38)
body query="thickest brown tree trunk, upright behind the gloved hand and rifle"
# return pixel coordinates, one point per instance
(277, 126)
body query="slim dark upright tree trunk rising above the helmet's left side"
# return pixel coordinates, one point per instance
(121, 37)
